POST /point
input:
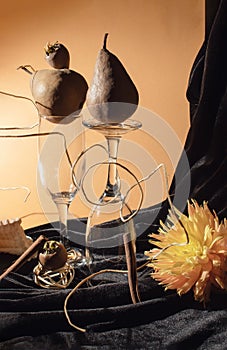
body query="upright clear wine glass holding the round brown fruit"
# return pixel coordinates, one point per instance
(59, 145)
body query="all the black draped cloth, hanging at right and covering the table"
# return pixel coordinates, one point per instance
(33, 318)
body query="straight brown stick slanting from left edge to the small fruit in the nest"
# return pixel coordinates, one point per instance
(23, 258)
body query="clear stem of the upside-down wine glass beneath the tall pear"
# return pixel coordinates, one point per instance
(113, 180)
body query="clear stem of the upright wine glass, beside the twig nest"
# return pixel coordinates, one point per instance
(63, 218)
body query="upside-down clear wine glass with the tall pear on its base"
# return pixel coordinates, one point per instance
(105, 229)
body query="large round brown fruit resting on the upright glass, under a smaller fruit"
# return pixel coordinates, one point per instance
(58, 93)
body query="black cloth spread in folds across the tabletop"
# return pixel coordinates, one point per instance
(33, 318)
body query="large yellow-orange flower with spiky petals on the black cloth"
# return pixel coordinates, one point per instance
(191, 252)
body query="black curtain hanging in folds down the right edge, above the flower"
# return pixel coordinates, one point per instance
(206, 143)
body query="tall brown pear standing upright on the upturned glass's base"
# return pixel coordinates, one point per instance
(112, 96)
